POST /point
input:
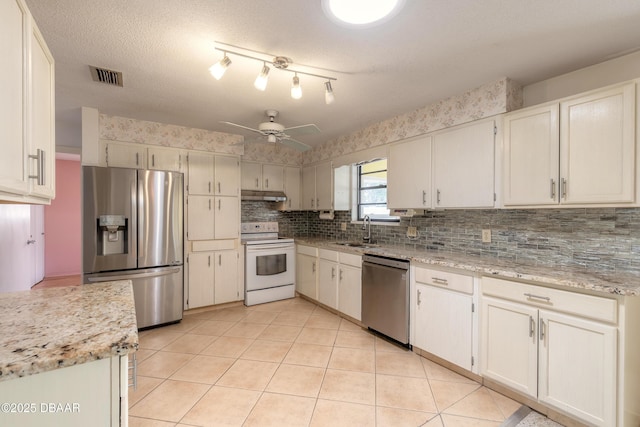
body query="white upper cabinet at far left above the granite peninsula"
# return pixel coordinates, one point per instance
(27, 108)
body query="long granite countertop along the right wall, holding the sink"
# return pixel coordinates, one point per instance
(607, 282)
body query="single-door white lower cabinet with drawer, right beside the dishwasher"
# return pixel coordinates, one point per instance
(444, 320)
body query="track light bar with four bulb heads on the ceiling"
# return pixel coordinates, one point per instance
(278, 62)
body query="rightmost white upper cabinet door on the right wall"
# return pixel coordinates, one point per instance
(597, 143)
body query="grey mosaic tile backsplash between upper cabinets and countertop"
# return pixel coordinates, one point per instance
(606, 239)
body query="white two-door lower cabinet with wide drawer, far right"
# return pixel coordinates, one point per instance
(554, 346)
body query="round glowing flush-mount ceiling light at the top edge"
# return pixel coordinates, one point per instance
(361, 13)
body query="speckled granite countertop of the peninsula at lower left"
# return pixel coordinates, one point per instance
(46, 329)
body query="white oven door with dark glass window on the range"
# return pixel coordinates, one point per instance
(269, 265)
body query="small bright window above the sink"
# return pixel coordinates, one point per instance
(372, 191)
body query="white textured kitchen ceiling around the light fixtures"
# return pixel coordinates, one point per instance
(431, 50)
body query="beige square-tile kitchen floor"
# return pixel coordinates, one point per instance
(292, 363)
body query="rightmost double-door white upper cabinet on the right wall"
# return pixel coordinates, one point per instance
(578, 152)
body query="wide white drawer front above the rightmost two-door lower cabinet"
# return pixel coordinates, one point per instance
(598, 308)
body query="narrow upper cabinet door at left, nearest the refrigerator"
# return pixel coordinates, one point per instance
(42, 107)
